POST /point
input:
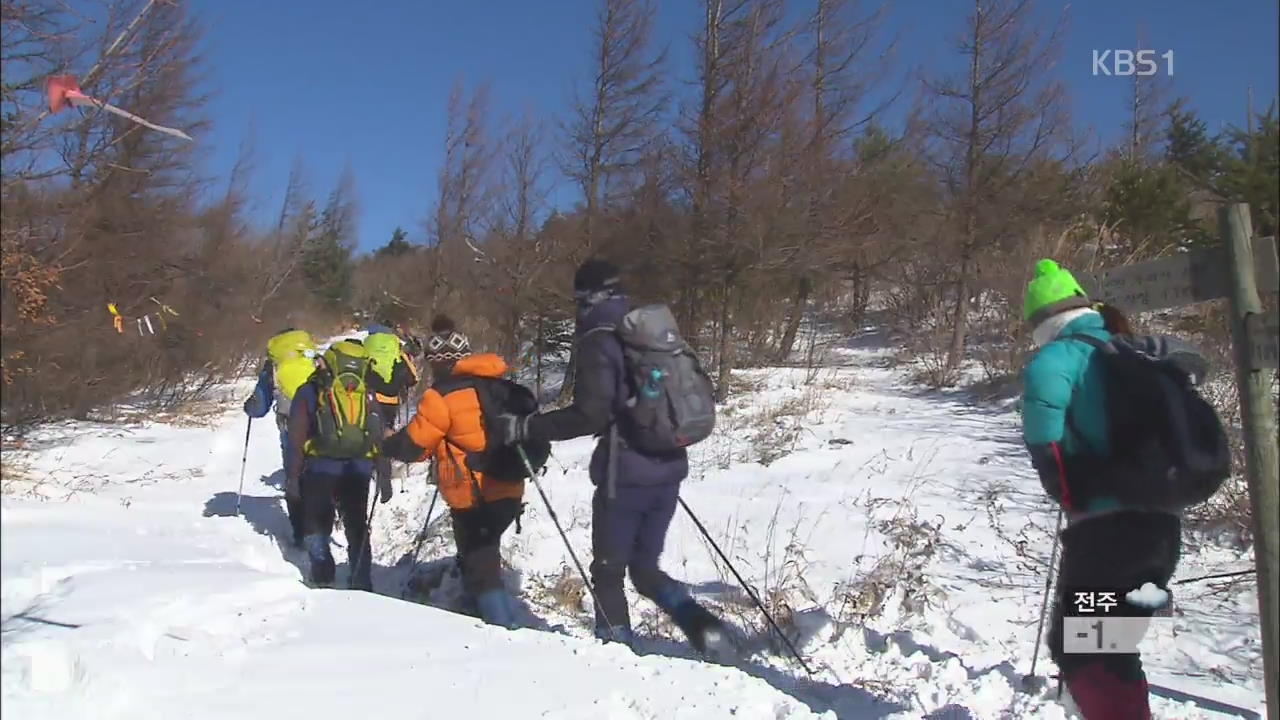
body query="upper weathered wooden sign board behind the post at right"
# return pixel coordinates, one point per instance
(1197, 276)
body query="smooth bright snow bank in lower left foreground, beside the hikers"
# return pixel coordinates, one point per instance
(129, 604)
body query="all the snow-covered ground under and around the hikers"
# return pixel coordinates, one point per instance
(899, 536)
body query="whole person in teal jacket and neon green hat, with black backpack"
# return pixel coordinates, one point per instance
(1124, 444)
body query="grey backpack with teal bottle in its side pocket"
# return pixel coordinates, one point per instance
(674, 402)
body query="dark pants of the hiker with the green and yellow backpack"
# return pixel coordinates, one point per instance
(349, 495)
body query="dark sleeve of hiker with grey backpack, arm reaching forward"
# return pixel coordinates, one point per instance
(600, 368)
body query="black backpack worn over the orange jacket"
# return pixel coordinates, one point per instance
(497, 398)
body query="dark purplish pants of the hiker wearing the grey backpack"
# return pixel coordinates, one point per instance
(628, 535)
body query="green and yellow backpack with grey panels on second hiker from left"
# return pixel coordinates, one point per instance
(348, 423)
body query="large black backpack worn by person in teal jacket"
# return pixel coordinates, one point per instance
(1169, 449)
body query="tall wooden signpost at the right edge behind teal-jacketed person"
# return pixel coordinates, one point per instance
(1260, 439)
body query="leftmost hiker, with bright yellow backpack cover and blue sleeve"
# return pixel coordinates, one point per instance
(290, 363)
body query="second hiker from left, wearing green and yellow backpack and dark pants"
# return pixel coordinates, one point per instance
(335, 438)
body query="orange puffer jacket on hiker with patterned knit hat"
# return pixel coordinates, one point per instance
(456, 417)
